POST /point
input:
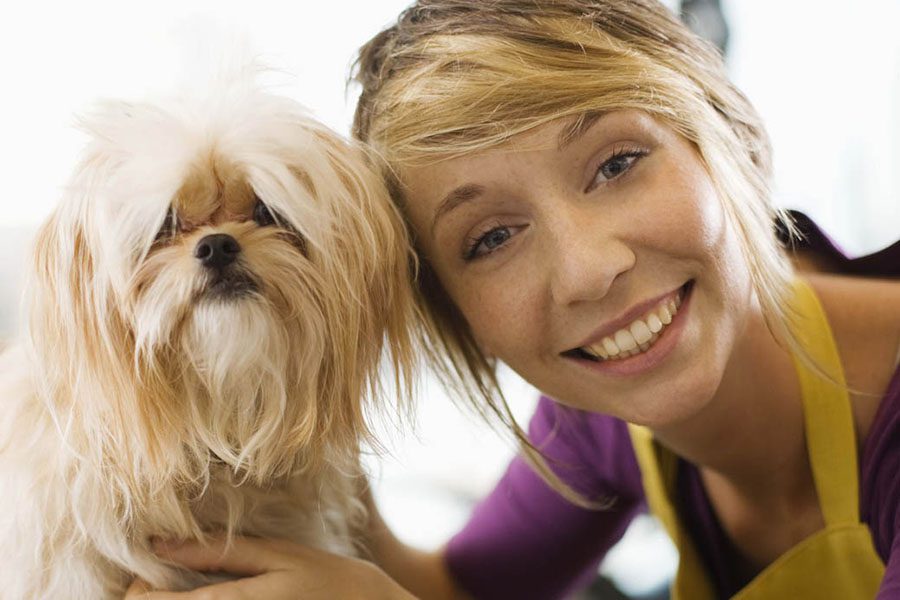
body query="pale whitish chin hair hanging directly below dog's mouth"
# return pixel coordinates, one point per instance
(235, 383)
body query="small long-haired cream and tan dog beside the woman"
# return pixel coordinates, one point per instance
(208, 308)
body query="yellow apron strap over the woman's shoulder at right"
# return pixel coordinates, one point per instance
(830, 434)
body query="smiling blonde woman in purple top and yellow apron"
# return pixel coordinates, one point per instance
(589, 197)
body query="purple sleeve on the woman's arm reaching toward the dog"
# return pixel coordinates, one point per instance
(524, 540)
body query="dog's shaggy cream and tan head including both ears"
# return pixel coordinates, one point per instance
(217, 285)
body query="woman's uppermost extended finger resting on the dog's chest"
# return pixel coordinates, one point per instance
(243, 556)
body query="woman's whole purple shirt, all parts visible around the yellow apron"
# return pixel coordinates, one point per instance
(525, 541)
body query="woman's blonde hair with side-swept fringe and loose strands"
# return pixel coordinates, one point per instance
(453, 77)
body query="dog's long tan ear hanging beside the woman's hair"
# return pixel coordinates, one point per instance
(370, 265)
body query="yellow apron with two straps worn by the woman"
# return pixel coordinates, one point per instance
(838, 561)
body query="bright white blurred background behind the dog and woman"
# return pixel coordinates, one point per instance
(825, 75)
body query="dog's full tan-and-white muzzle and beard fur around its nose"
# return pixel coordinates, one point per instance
(241, 352)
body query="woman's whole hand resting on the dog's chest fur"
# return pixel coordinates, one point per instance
(274, 570)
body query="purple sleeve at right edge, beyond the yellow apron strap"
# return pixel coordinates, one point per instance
(880, 487)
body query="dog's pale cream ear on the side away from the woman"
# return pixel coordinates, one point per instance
(81, 345)
